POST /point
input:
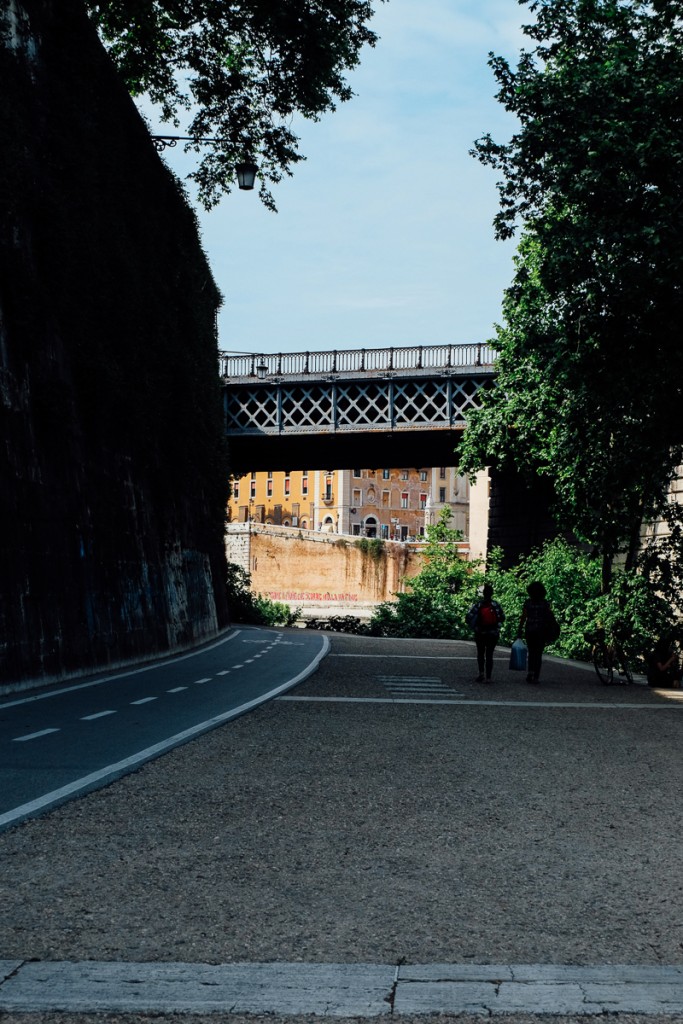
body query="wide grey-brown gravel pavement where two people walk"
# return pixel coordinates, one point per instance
(510, 825)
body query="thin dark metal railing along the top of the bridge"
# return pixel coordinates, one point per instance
(371, 361)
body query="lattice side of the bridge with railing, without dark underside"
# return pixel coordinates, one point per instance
(410, 399)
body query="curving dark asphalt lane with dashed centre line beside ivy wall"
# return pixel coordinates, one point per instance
(66, 741)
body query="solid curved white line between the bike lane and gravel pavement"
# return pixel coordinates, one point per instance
(113, 772)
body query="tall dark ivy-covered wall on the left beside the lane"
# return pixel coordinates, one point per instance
(113, 462)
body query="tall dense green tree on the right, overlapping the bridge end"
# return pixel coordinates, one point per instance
(590, 364)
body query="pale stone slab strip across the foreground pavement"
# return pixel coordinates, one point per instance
(339, 990)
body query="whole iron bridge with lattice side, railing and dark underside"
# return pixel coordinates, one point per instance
(415, 398)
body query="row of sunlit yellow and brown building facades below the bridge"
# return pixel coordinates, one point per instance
(394, 504)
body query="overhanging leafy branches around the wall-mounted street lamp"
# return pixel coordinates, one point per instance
(241, 72)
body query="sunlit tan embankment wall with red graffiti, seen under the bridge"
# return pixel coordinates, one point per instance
(323, 574)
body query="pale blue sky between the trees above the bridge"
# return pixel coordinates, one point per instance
(383, 236)
